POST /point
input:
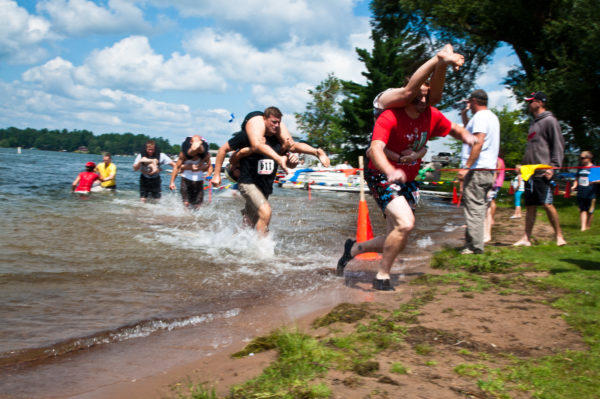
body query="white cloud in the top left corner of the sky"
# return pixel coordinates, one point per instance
(21, 34)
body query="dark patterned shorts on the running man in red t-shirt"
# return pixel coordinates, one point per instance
(385, 192)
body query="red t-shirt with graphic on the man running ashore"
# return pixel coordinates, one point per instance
(400, 132)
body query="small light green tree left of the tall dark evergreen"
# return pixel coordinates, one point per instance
(321, 120)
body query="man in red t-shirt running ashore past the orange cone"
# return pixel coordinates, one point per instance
(400, 131)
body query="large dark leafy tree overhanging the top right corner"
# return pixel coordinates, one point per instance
(556, 41)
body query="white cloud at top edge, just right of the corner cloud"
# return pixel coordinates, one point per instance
(83, 17)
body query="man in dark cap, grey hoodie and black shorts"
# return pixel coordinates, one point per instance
(545, 145)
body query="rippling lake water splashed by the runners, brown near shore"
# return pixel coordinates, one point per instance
(78, 272)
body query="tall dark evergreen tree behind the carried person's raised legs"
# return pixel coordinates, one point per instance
(400, 46)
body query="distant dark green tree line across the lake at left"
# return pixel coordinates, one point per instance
(64, 140)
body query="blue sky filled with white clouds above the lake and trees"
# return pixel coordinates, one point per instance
(180, 67)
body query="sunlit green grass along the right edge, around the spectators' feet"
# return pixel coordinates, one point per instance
(573, 276)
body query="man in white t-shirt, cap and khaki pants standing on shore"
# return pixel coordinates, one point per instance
(478, 163)
